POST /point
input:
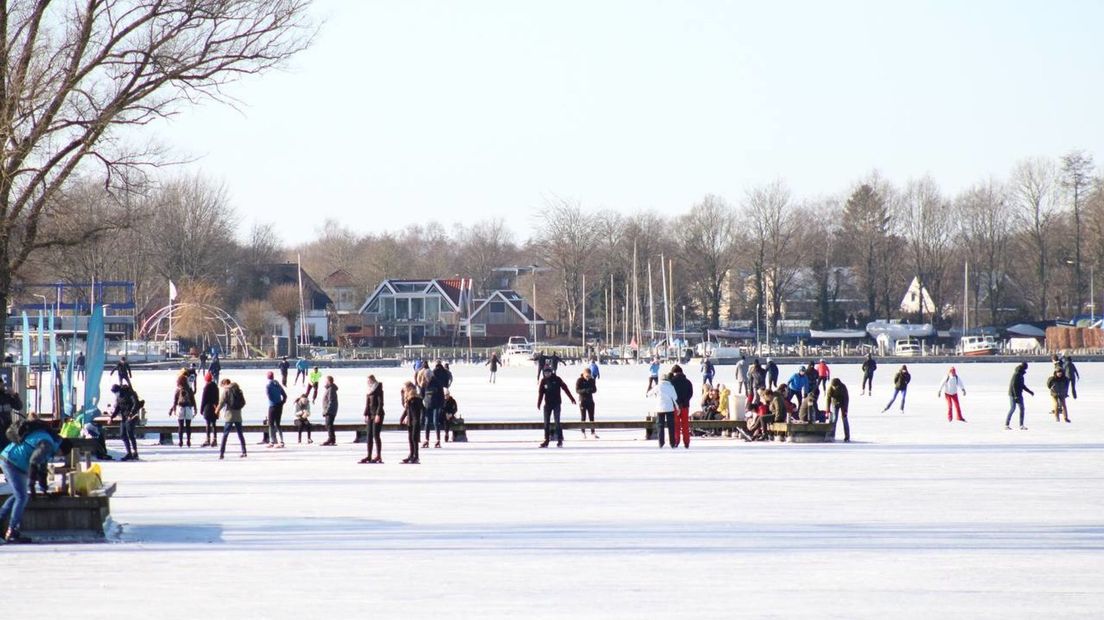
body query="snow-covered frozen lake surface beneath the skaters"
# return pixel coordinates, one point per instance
(916, 519)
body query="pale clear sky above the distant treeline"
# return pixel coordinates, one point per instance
(416, 111)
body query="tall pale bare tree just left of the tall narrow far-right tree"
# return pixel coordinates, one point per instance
(1035, 205)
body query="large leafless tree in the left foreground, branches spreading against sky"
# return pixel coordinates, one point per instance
(78, 74)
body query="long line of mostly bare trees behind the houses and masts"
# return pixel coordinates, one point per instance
(1033, 241)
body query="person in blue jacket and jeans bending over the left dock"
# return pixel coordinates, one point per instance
(36, 448)
